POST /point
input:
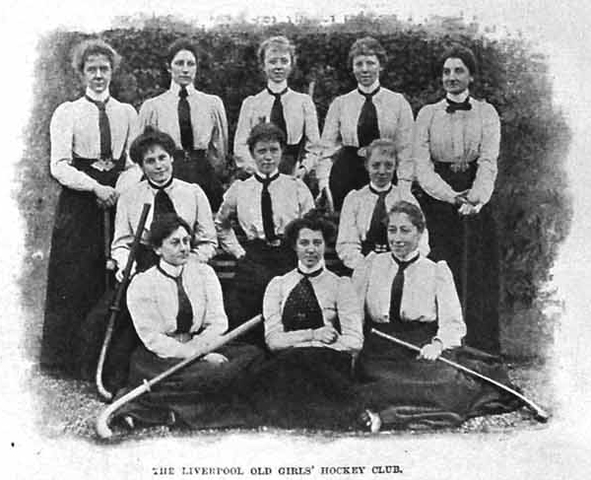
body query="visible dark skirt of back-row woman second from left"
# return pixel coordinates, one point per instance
(194, 167)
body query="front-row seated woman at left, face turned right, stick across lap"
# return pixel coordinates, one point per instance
(176, 308)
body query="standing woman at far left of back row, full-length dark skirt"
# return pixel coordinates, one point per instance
(89, 140)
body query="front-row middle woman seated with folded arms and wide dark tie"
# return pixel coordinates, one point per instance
(313, 328)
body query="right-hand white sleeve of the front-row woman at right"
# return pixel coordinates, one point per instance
(449, 311)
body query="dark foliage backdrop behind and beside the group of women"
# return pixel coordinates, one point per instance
(532, 196)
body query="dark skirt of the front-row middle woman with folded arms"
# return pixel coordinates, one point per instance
(305, 387)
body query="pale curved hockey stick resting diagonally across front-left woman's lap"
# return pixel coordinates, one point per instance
(102, 421)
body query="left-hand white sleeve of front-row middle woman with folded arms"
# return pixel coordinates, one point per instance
(275, 335)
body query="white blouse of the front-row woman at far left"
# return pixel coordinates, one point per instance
(152, 300)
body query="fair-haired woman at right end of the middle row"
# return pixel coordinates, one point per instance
(363, 221)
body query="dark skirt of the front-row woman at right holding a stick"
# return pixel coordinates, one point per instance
(412, 393)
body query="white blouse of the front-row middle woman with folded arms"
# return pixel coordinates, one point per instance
(337, 299)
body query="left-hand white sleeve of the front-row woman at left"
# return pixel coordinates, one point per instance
(141, 302)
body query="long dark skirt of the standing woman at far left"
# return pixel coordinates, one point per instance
(76, 277)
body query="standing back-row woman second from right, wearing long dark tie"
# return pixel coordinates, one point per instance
(357, 118)
